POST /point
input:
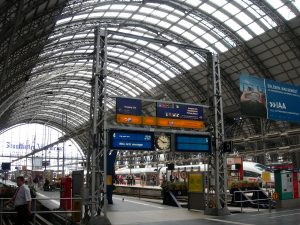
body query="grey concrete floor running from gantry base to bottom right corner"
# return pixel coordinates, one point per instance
(133, 211)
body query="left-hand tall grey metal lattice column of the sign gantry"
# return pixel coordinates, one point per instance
(98, 142)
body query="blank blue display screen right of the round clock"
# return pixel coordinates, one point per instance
(192, 143)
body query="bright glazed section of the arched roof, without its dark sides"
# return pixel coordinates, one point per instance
(60, 81)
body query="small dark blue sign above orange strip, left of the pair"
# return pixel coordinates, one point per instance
(129, 106)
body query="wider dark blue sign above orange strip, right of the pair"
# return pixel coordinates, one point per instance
(178, 111)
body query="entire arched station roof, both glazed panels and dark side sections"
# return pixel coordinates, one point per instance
(47, 50)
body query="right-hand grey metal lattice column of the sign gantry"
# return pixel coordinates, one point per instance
(217, 185)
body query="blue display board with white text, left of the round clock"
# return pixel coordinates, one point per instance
(131, 140)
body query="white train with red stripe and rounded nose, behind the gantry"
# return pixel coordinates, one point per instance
(154, 176)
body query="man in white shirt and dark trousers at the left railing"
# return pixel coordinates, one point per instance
(22, 202)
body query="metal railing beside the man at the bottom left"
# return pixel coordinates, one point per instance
(35, 212)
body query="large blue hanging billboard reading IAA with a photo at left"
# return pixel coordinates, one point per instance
(269, 99)
